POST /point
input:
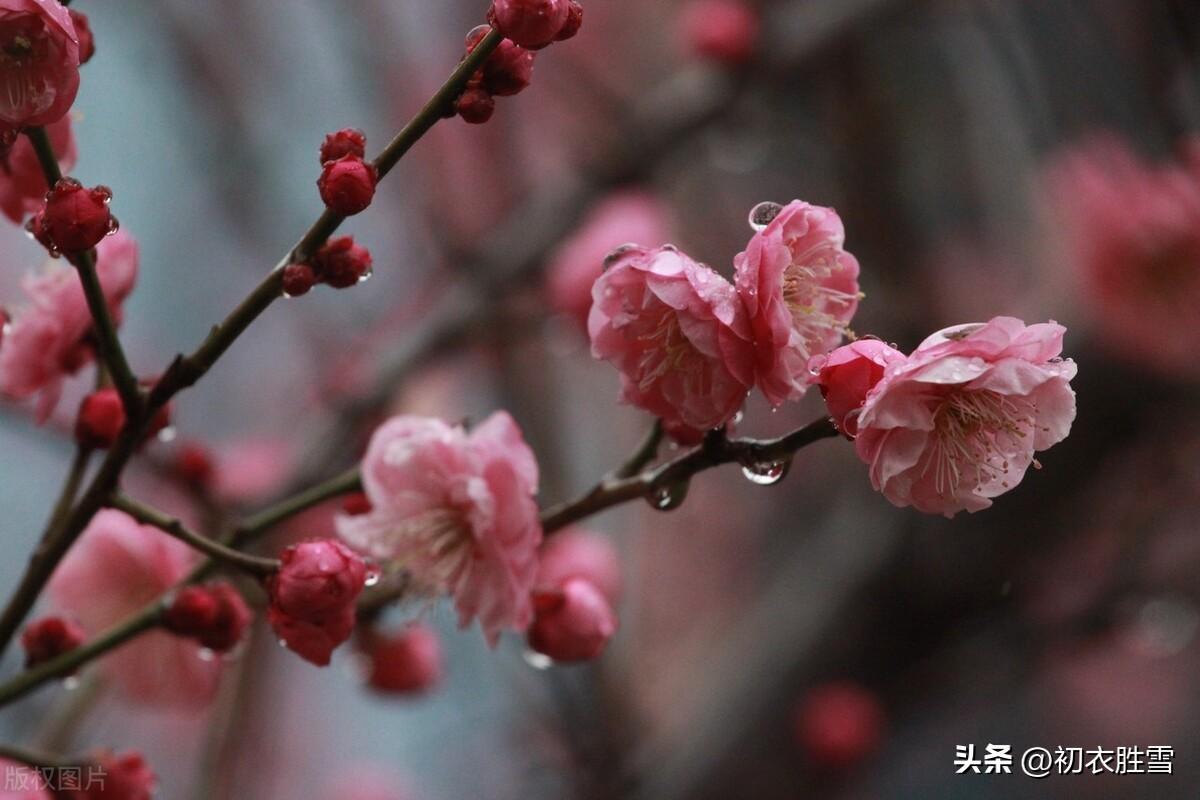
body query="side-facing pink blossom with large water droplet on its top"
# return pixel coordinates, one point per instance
(801, 291)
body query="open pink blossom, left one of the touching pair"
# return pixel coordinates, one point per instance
(677, 334)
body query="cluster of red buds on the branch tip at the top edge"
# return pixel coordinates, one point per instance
(527, 26)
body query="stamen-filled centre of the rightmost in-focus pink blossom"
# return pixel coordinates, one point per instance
(976, 435)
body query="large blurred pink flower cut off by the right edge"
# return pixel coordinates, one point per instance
(1136, 243)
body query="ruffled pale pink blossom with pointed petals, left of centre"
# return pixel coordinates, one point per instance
(457, 510)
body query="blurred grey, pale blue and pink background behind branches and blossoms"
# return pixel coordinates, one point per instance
(799, 641)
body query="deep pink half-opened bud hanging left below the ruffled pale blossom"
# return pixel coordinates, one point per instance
(314, 596)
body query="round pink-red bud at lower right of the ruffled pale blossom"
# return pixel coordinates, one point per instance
(573, 624)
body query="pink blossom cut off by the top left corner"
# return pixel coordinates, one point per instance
(39, 63)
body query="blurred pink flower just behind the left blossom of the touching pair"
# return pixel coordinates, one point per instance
(627, 216)
